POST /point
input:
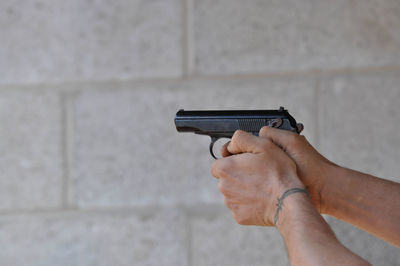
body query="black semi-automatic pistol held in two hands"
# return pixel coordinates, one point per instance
(223, 123)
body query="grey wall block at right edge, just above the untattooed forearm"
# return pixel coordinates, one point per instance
(359, 122)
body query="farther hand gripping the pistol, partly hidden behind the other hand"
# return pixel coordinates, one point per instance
(312, 168)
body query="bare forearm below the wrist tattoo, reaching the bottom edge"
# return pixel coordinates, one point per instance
(308, 238)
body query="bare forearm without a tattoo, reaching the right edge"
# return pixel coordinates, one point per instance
(365, 201)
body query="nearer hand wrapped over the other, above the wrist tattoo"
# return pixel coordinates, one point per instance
(254, 177)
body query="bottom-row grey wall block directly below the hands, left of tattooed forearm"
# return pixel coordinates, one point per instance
(219, 240)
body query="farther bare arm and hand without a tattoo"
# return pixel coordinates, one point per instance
(363, 200)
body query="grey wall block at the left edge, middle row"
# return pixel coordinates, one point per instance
(31, 157)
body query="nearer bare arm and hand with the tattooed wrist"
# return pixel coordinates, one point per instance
(254, 178)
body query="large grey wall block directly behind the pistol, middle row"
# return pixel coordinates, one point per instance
(128, 152)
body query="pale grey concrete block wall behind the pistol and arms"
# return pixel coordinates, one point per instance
(92, 170)
